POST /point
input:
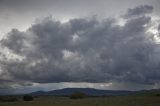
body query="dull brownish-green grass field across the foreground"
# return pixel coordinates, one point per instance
(97, 101)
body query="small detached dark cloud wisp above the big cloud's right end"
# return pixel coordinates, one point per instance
(139, 11)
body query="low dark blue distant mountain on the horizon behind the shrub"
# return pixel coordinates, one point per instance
(88, 91)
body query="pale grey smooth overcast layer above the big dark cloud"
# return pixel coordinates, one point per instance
(20, 14)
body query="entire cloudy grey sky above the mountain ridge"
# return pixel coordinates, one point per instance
(103, 44)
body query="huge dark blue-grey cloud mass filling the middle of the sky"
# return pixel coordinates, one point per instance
(82, 50)
